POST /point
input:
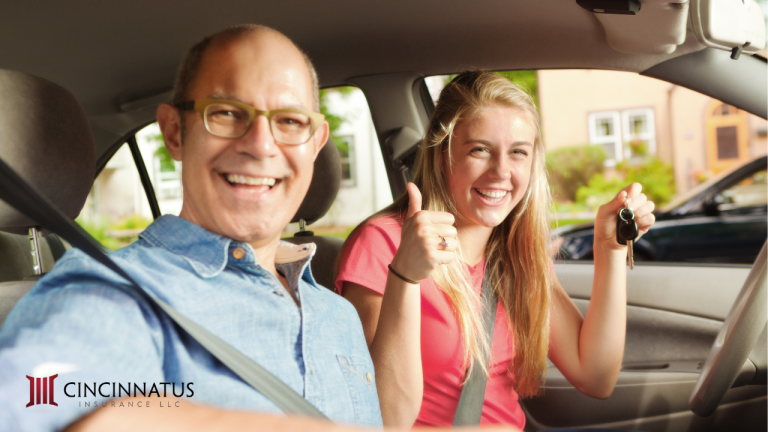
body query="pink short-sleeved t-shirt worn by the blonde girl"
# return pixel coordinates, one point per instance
(369, 251)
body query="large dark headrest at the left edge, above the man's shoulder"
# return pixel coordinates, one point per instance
(46, 138)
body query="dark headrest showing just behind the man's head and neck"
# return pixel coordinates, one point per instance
(324, 187)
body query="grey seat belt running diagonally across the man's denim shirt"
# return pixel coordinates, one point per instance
(26, 199)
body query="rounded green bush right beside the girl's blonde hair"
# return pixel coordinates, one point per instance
(572, 167)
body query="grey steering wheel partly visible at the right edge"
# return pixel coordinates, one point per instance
(741, 329)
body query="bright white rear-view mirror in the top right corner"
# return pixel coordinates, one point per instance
(730, 25)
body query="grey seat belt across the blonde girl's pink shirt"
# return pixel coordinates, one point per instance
(470, 407)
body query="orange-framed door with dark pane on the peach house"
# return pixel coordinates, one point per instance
(727, 137)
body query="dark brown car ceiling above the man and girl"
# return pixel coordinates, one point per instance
(111, 53)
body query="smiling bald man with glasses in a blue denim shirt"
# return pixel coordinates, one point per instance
(244, 124)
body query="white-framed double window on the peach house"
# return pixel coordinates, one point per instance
(623, 134)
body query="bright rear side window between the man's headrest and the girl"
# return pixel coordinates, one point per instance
(365, 185)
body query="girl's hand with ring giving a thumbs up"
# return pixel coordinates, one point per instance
(428, 239)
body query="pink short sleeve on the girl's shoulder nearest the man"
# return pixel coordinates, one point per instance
(367, 254)
